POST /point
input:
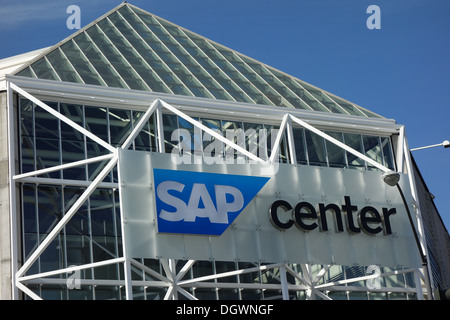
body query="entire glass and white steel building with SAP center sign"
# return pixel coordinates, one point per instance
(140, 160)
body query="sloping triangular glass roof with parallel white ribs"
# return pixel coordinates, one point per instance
(133, 49)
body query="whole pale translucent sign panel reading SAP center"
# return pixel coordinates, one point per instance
(257, 213)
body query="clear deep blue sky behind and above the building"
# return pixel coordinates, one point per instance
(401, 71)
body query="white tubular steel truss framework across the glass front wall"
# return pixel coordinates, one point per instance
(175, 282)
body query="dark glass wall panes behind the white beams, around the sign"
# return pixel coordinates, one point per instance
(94, 233)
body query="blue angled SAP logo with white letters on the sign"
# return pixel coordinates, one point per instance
(201, 203)
